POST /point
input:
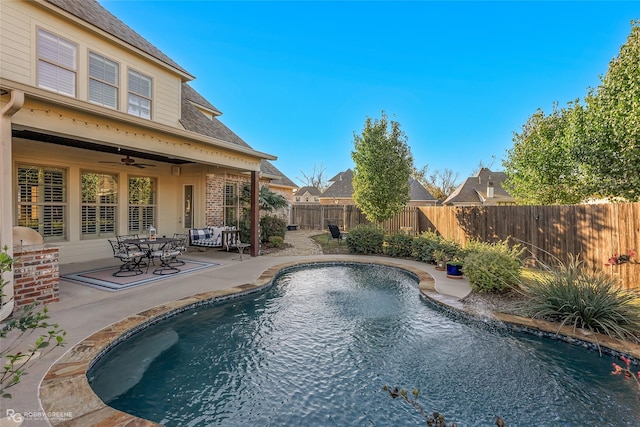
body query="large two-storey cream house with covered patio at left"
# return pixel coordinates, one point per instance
(103, 135)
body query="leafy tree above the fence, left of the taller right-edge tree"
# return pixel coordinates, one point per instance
(542, 167)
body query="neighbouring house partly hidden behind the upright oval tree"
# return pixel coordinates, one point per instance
(340, 192)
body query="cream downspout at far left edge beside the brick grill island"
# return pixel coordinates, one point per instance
(6, 195)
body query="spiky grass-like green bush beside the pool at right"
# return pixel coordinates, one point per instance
(581, 298)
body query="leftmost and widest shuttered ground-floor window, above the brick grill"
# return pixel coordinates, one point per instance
(42, 200)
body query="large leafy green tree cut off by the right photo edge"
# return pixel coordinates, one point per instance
(612, 145)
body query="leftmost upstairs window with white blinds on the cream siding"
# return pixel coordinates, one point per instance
(56, 63)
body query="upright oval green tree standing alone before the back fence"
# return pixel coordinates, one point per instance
(383, 166)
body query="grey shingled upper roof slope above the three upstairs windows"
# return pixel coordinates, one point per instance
(93, 13)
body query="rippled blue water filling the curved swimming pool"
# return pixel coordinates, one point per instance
(318, 346)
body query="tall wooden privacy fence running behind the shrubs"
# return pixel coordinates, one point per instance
(549, 233)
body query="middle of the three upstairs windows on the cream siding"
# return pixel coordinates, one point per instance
(103, 81)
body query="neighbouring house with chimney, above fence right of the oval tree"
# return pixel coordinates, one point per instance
(483, 189)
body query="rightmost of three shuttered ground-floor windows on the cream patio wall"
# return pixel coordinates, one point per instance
(142, 204)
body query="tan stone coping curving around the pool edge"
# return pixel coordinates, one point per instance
(65, 392)
